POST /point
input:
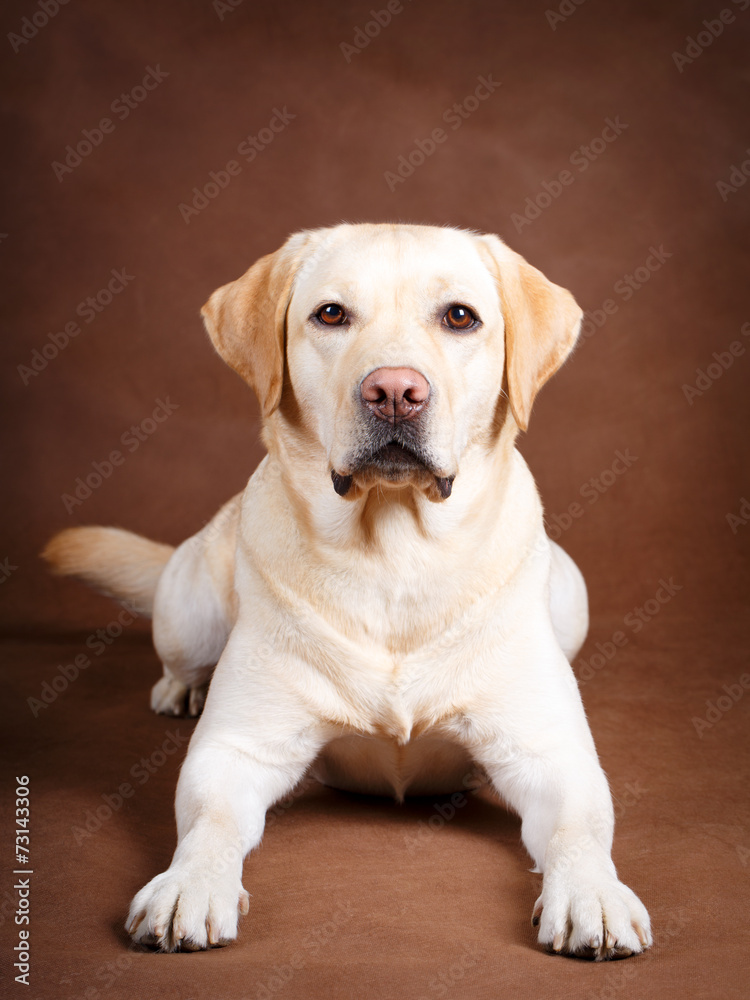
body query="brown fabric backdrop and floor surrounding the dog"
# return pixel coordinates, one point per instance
(613, 165)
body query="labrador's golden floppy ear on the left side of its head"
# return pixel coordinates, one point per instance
(246, 320)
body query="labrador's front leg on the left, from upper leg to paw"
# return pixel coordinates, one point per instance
(251, 746)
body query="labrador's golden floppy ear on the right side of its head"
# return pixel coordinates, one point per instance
(542, 322)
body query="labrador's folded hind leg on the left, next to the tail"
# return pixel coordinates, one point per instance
(194, 611)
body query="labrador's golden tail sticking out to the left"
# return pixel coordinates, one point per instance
(118, 563)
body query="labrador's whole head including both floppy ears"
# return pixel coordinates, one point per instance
(394, 349)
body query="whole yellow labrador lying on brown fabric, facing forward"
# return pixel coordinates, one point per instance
(382, 604)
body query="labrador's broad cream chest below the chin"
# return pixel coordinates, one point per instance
(389, 635)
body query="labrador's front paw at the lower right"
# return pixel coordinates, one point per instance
(592, 916)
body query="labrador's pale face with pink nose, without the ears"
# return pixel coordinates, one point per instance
(395, 352)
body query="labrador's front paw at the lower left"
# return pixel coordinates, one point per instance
(179, 912)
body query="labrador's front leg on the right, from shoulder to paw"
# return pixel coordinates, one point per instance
(541, 760)
